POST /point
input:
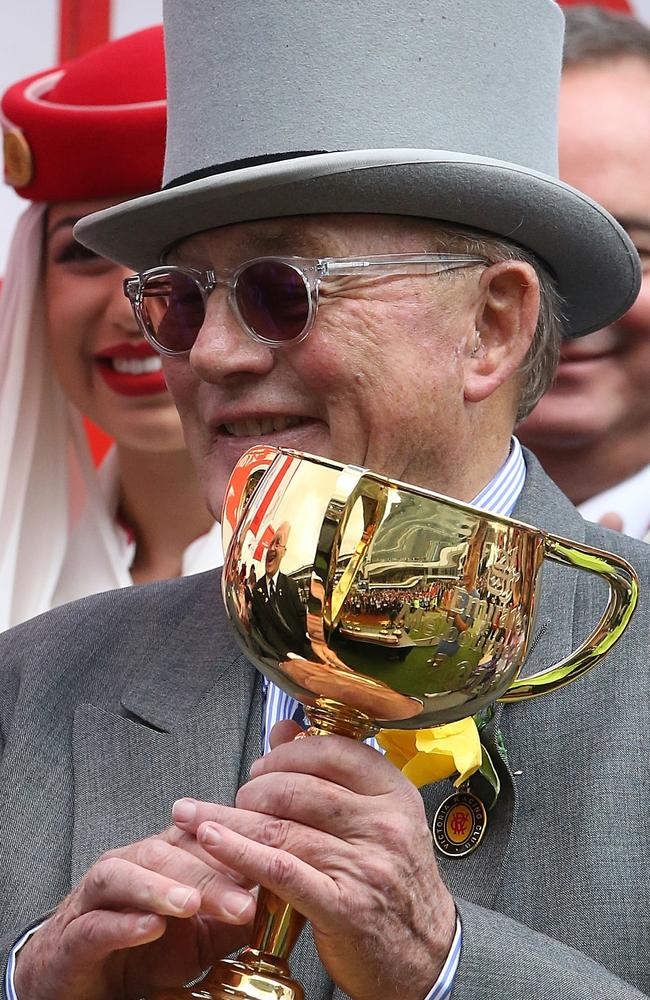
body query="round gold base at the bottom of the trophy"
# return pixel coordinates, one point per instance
(259, 978)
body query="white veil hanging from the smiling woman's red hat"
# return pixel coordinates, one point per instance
(49, 488)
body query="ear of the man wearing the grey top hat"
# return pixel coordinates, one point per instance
(505, 321)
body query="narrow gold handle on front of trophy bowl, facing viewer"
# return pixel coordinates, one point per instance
(351, 486)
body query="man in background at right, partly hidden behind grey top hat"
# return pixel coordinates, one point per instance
(591, 431)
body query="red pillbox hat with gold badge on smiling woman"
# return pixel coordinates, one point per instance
(93, 127)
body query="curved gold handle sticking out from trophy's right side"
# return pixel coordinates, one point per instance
(623, 595)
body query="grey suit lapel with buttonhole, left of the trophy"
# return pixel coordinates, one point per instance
(180, 731)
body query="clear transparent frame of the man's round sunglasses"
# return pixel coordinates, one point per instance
(311, 270)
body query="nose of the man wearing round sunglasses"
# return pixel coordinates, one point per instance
(222, 349)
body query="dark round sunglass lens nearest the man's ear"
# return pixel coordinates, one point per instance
(273, 300)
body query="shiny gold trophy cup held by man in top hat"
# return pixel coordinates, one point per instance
(379, 605)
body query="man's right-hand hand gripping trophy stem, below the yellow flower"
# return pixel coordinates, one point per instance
(334, 829)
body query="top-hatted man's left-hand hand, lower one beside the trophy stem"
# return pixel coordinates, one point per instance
(151, 915)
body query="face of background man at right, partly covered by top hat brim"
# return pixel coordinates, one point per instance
(602, 384)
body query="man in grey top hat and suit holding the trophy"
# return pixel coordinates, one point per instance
(385, 292)
